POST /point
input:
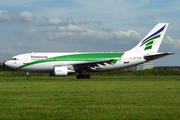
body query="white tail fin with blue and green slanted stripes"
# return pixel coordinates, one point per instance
(151, 42)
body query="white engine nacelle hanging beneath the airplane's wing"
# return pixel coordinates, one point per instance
(60, 71)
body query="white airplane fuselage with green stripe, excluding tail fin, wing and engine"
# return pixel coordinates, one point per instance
(45, 62)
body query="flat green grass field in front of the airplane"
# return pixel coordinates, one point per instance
(123, 97)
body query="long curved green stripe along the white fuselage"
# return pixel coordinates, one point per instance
(77, 57)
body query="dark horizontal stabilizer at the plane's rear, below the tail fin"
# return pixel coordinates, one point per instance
(153, 56)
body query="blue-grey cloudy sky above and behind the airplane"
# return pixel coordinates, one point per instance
(86, 26)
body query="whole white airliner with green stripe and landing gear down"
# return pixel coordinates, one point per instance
(64, 64)
